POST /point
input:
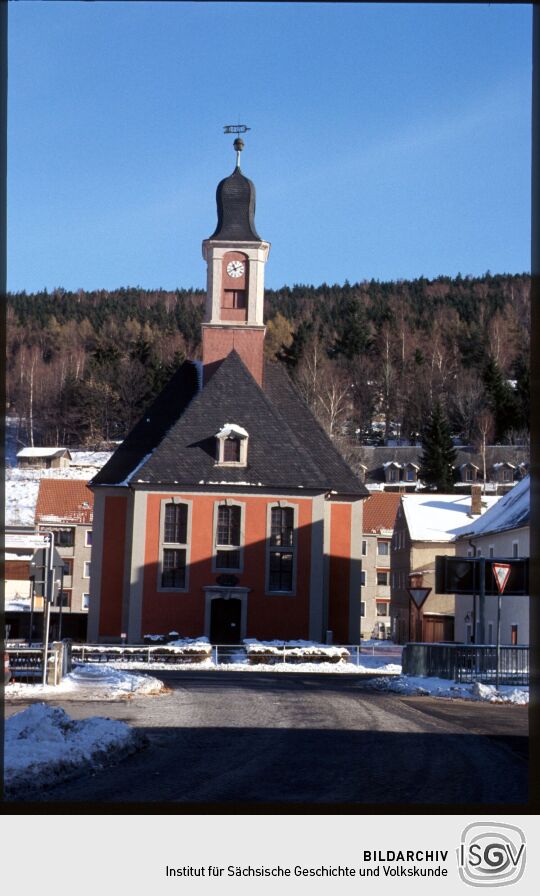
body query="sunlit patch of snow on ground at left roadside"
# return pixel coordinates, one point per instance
(91, 682)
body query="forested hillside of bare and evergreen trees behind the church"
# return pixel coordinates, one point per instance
(83, 366)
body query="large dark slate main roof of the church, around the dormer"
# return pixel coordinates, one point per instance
(287, 448)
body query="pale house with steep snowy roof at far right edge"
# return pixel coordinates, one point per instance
(503, 533)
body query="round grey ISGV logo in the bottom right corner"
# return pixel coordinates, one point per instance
(491, 854)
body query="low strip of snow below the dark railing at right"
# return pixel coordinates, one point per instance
(440, 687)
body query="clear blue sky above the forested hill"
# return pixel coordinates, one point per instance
(387, 141)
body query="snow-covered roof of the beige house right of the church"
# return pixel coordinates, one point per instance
(438, 517)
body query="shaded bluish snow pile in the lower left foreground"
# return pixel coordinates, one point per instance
(43, 745)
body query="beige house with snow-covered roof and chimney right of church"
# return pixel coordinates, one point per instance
(425, 527)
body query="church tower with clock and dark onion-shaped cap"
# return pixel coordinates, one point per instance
(235, 256)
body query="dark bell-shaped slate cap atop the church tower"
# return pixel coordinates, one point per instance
(235, 198)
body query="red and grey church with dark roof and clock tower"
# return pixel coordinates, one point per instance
(227, 511)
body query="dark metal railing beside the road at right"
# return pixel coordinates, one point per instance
(467, 663)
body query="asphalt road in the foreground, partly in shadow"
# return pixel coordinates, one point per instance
(281, 739)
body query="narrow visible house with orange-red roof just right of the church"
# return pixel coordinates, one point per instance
(380, 511)
